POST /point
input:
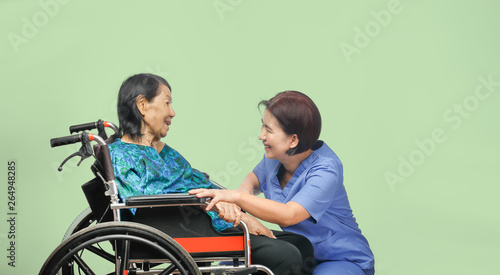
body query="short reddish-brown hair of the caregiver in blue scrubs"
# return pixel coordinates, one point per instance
(297, 114)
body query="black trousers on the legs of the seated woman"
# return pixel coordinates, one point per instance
(289, 254)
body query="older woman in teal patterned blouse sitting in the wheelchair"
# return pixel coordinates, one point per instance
(144, 165)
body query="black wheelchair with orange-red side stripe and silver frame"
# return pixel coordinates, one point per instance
(169, 233)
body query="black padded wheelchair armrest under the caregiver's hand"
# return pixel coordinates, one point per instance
(164, 199)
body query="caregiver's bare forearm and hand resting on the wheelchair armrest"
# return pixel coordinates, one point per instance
(271, 211)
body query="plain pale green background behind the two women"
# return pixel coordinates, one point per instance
(407, 76)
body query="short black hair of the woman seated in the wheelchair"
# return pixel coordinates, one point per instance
(128, 115)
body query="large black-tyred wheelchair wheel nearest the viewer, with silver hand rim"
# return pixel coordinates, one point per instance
(105, 249)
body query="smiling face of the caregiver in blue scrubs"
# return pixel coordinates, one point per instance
(276, 141)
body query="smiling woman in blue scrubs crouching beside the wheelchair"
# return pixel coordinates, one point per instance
(302, 181)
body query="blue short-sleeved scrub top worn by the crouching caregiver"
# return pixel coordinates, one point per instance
(317, 185)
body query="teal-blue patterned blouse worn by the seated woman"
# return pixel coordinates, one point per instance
(141, 170)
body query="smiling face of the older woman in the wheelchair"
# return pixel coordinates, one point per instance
(158, 114)
